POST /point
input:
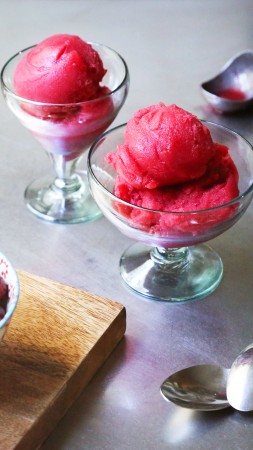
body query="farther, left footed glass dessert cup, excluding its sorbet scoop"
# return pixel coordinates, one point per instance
(66, 131)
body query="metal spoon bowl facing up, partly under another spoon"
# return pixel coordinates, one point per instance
(201, 387)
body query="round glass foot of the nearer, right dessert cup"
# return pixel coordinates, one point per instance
(171, 275)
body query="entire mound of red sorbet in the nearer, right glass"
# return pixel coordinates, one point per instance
(169, 163)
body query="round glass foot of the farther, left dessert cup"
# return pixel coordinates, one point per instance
(53, 201)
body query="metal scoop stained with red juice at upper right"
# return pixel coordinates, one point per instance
(231, 90)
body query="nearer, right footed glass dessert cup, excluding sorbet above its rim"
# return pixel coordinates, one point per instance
(170, 260)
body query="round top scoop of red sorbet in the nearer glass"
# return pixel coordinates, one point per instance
(164, 145)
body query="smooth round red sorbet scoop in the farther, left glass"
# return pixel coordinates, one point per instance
(61, 69)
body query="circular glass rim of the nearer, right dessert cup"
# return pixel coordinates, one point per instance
(198, 211)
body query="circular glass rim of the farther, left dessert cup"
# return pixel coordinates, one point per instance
(93, 44)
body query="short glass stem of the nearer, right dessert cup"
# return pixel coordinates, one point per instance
(170, 258)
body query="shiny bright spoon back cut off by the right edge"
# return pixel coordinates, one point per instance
(240, 381)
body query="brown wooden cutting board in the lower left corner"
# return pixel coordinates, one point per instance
(57, 339)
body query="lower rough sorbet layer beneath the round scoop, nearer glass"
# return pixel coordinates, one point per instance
(217, 186)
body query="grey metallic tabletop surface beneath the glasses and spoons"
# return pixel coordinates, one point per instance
(170, 47)
